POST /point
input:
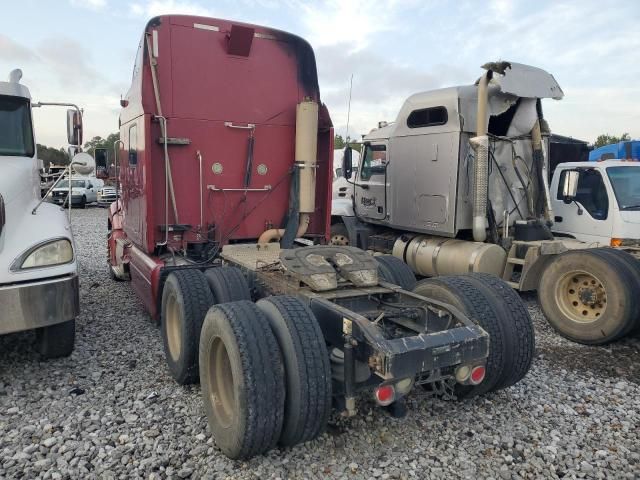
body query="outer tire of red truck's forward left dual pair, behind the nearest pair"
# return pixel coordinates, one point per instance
(185, 300)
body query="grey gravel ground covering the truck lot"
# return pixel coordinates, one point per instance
(112, 411)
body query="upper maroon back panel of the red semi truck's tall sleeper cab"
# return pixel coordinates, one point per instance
(209, 84)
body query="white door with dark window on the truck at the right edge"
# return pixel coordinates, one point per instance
(589, 218)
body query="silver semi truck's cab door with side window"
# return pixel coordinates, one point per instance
(371, 182)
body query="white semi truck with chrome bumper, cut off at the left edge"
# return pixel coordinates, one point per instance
(38, 269)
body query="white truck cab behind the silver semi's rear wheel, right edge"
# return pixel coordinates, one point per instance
(602, 204)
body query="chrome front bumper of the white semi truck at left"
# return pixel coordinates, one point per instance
(38, 304)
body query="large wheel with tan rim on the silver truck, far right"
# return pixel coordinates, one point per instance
(616, 309)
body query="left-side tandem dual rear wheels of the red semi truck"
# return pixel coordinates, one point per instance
(263, 367)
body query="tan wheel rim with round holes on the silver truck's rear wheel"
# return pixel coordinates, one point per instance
(581, 297)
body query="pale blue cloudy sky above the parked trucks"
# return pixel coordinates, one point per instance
(82, 51)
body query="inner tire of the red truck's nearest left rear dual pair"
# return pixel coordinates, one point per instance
(306, 365)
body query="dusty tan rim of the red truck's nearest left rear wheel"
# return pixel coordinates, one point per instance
(220, 379)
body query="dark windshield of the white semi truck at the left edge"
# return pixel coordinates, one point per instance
(16, 135)
